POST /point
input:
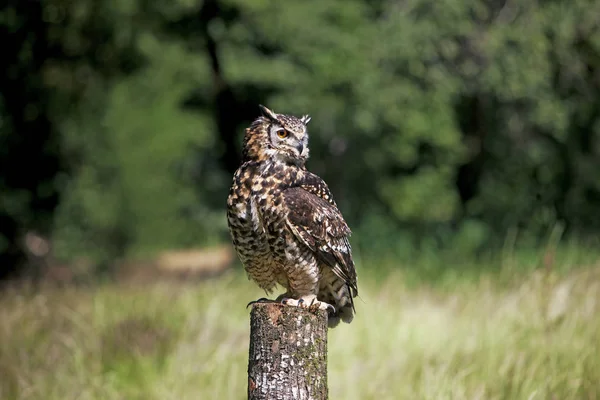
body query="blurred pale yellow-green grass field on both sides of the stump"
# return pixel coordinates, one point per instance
(535, 336)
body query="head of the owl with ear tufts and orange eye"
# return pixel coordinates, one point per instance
(277, 137)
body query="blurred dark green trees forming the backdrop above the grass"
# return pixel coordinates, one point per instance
(441, 124)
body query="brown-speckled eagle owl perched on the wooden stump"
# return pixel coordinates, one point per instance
(284, 223)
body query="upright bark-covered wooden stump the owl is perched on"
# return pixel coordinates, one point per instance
(288, 353)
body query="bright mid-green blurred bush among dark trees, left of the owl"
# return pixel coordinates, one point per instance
(131, 193)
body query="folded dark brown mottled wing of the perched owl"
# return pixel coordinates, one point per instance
(315, 220)
